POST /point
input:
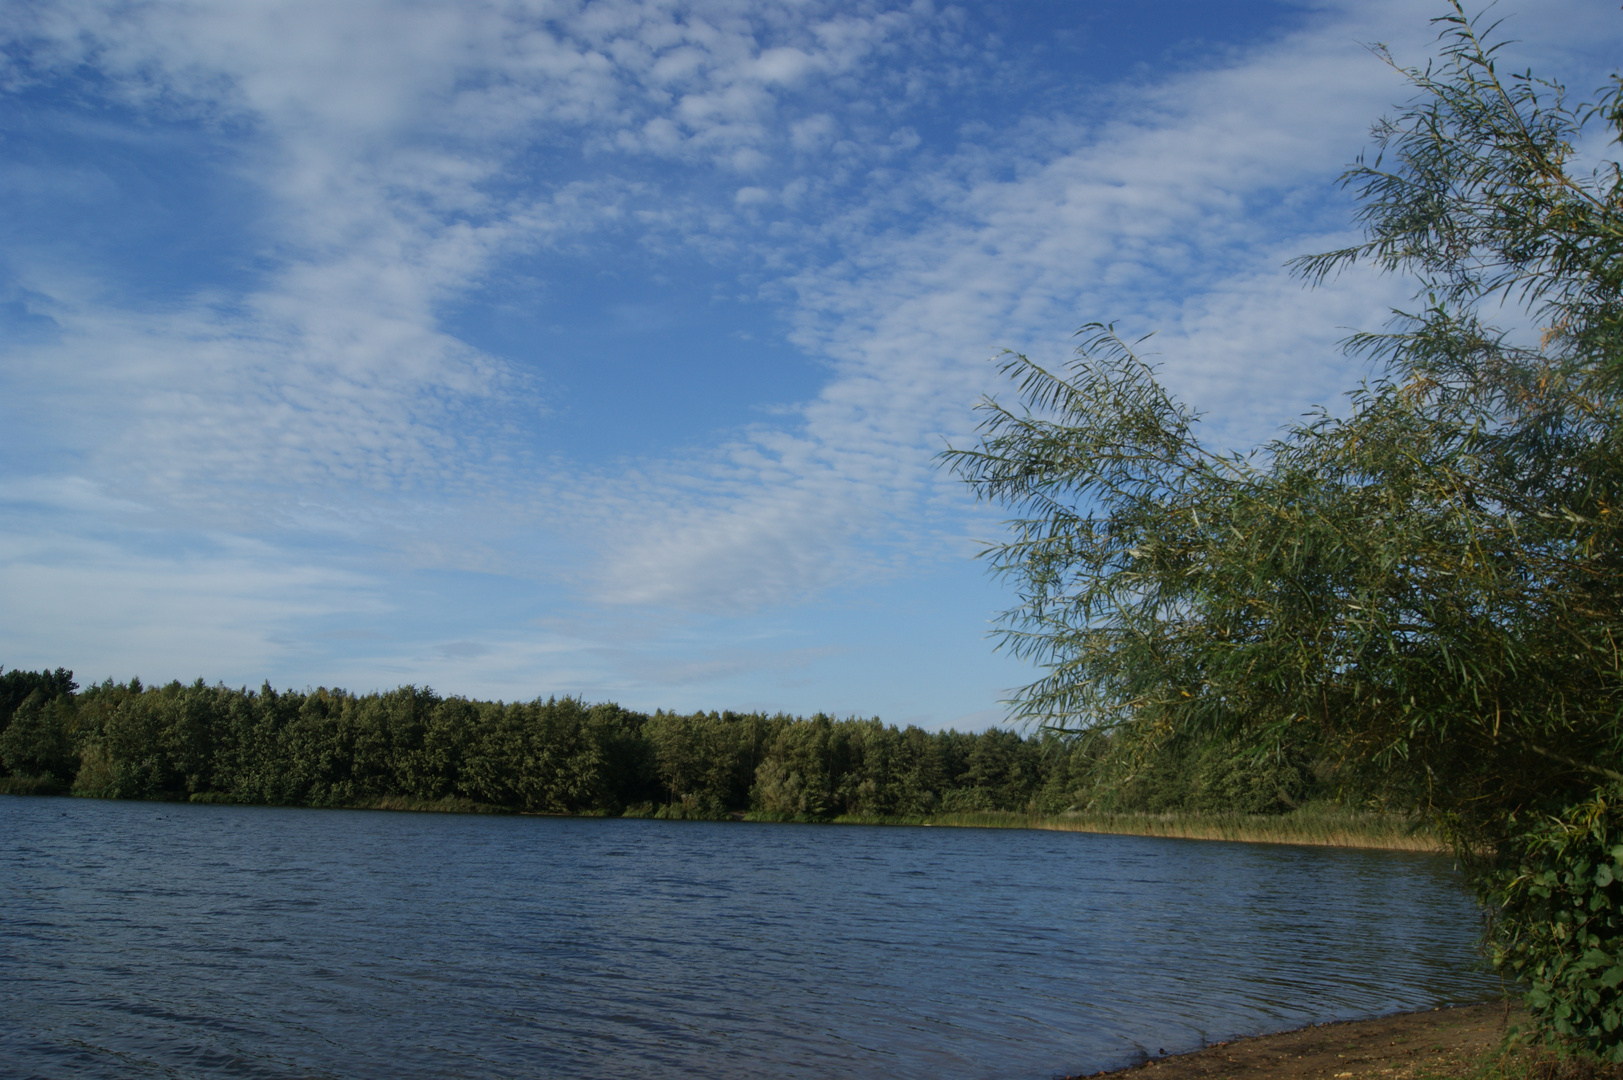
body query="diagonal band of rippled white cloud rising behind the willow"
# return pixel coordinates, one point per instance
(1173, 217)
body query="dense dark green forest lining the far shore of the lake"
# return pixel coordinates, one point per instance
(562, 756)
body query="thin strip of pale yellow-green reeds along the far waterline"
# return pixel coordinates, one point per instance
(1330, 827)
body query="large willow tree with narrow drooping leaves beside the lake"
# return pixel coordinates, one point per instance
(1427, 589)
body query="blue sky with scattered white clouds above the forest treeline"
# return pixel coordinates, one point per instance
(538, 348)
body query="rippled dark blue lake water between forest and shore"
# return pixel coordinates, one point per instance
(196, 941)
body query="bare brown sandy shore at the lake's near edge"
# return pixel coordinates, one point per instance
(1439, 1043)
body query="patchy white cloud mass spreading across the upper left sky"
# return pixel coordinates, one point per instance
(385, 139)
